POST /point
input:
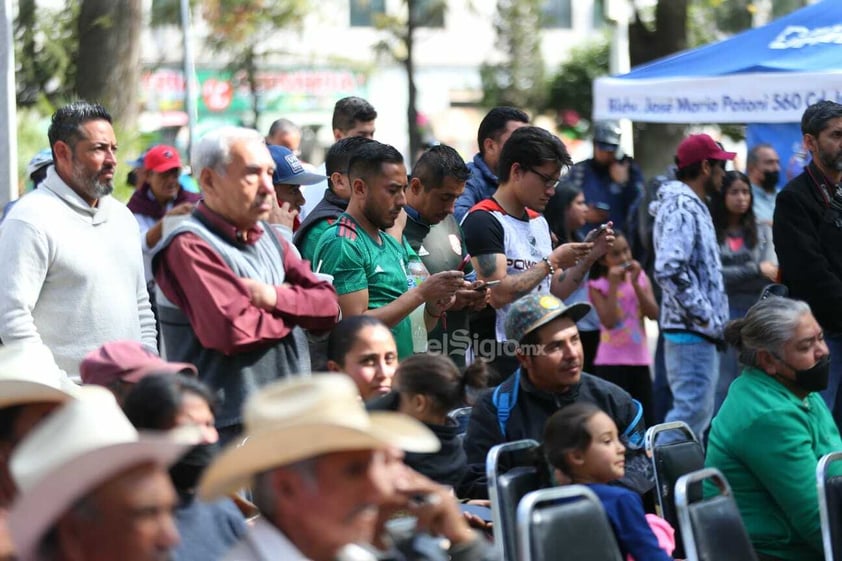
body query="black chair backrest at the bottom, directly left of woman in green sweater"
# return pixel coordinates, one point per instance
(712, 529)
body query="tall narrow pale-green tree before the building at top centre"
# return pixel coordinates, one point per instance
(518, 79)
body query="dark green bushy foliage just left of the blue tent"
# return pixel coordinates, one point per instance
(570, 89)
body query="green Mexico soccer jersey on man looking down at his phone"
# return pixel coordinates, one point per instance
(357, 262)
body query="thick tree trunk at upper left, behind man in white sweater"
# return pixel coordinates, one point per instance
(109, 56)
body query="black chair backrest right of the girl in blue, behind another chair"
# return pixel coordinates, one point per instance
(677, 454)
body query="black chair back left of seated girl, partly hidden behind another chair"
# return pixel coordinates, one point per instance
(511, 474)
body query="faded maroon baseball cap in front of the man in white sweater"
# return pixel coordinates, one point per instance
(128, 361)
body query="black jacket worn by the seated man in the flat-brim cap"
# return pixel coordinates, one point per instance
(529, 415)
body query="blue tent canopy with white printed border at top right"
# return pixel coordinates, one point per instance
(768, 74)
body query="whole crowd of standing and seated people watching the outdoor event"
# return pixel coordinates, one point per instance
(272, 367)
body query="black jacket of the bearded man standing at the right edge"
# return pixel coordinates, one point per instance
(808, 236)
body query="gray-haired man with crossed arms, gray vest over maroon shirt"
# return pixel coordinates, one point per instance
(233, 296)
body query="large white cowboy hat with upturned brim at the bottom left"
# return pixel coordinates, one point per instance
(79, 446)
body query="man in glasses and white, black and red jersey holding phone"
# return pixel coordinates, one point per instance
(509, 239)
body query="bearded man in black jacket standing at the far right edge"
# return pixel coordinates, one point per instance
(807, 231)
